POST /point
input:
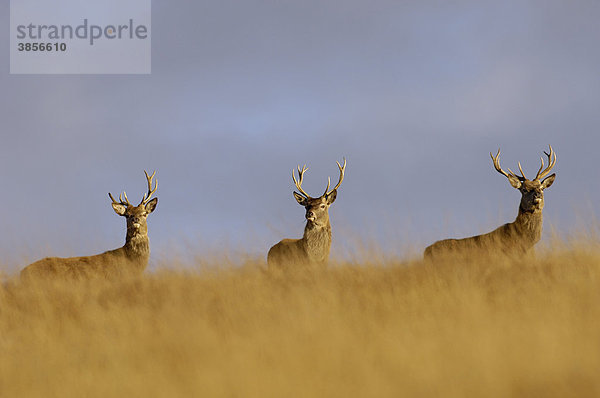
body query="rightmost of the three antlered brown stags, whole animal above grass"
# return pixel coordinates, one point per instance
(515, 238)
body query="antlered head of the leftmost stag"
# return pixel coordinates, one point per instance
(136, 215)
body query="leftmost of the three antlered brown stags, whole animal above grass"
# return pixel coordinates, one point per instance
(131, 259)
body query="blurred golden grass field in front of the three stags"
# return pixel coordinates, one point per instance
(382, 329)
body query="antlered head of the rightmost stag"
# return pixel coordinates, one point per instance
(532, 191)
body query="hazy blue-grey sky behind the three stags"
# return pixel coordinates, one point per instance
(414, 94)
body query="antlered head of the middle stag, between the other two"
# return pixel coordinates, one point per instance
(317, 208)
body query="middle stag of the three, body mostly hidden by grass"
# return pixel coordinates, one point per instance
(313, 248)
